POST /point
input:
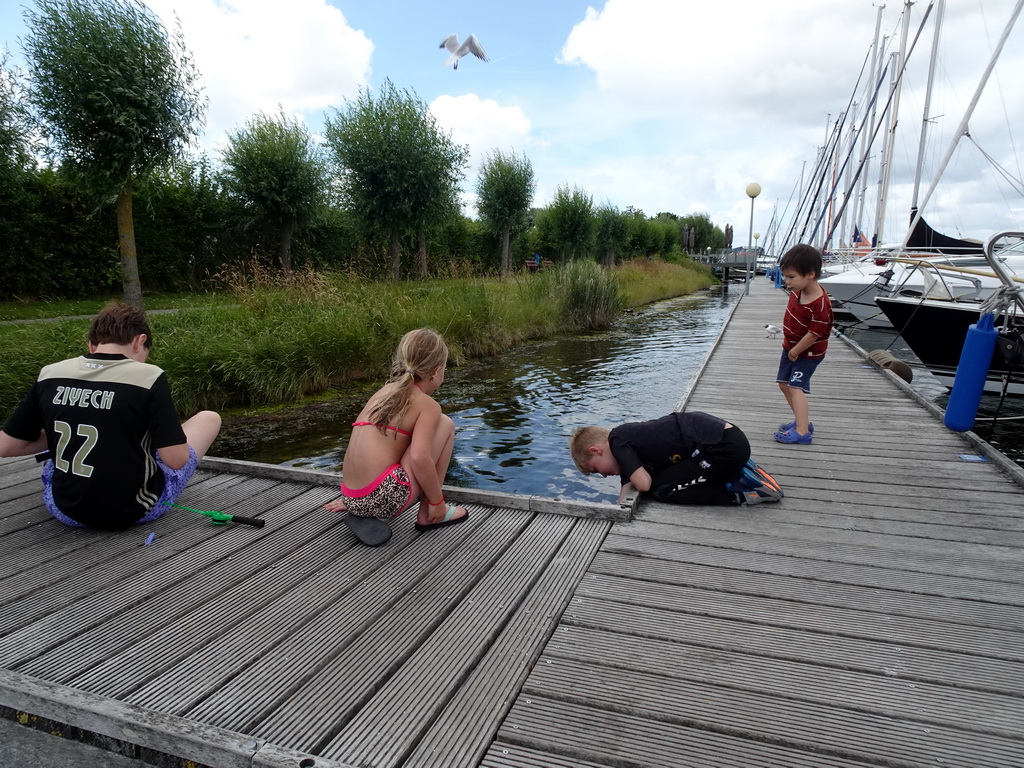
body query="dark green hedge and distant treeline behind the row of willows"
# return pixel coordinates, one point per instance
(59, 242)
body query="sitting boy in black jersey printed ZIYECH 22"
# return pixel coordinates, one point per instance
(117, 454)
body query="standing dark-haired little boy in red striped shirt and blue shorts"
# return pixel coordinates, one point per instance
(806, 330)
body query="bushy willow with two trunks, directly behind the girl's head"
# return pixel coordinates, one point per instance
(398, 169)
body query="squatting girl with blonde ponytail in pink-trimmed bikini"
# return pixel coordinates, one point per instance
(402, 443)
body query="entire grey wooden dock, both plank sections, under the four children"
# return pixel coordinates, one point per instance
(874, 618)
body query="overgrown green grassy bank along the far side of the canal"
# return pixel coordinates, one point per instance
(276, 344)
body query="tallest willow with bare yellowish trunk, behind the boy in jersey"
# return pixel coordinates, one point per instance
(118, 98)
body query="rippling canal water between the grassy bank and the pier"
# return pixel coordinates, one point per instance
(515, 413)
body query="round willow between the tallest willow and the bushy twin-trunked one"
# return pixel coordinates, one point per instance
(276, 169)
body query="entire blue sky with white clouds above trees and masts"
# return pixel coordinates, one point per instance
(661, 105)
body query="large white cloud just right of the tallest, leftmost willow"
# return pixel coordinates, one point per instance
(257, 55)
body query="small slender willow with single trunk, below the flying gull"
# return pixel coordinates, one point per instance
(505, 190)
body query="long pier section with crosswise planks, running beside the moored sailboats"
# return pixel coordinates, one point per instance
(873, 618)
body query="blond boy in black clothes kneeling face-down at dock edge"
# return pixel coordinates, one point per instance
(682, 458)
